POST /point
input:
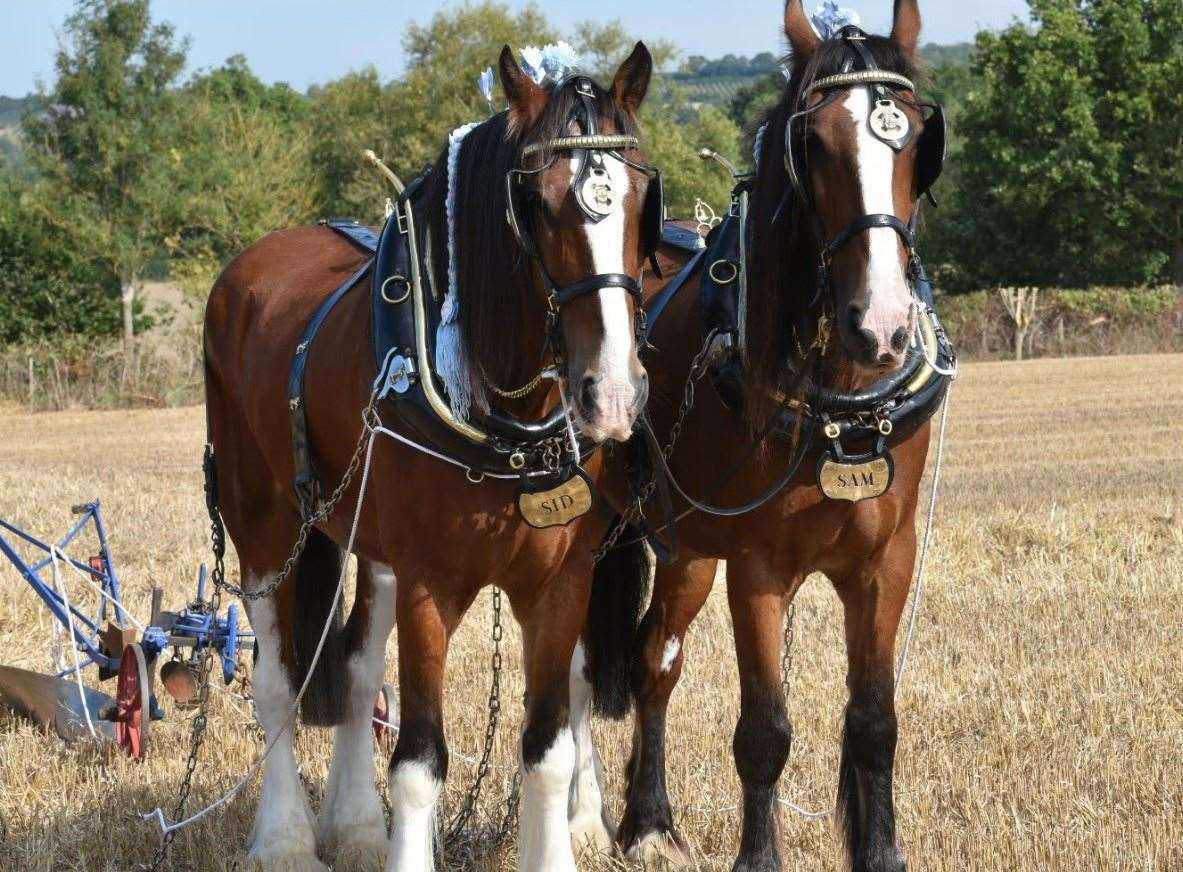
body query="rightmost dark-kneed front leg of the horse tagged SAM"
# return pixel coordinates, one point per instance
(874, 600)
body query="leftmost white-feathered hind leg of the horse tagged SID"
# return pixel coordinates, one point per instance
(285, 836)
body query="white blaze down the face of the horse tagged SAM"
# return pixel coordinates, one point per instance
(890, 303)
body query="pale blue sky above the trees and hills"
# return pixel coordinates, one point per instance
(305, 42)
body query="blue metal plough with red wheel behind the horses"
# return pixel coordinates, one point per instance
(112, 640)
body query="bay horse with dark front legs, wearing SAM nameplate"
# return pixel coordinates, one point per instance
(865, 548)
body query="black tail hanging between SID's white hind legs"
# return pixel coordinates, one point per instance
(316, 587)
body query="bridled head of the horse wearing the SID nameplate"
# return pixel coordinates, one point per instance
(587, 210)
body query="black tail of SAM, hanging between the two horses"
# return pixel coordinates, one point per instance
(618, 595)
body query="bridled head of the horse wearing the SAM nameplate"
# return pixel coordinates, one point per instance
(861, 151)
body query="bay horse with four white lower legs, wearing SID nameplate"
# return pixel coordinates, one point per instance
(430, 538)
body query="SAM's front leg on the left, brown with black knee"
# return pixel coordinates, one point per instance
(764, 734)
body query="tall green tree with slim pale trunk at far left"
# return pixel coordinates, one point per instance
(106, 146)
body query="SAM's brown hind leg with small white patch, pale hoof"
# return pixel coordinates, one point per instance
(680, 591)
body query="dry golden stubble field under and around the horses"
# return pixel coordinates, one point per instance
(1042, 726)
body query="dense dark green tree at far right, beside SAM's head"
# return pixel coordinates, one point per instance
(1072, 139)
